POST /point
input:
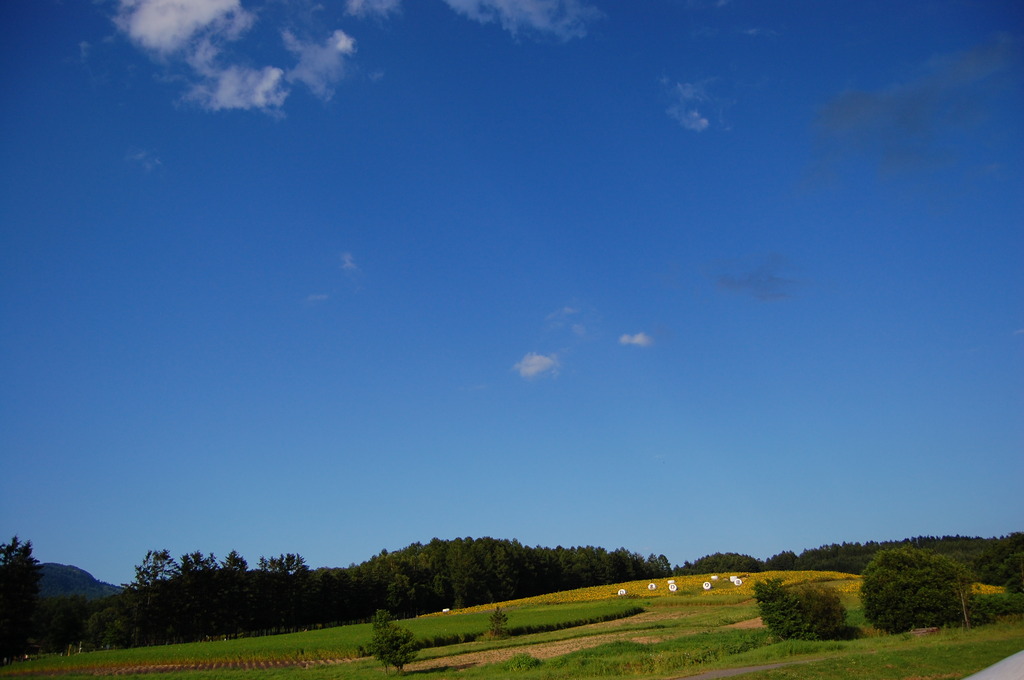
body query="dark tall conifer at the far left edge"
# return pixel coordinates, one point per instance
(19, 597)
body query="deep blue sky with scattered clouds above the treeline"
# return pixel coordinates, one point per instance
(678, 276)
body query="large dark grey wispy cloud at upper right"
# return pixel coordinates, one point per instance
(909, 125)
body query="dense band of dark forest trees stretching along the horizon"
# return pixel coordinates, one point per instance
(198, 598)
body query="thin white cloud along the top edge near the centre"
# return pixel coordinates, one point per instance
(563, 19)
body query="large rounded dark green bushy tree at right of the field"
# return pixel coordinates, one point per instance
(907, 588)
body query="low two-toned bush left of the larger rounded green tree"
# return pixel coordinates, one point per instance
(806, 613)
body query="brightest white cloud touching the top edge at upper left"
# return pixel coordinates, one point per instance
(168, 26)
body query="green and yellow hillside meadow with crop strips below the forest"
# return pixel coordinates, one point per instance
(653, 631)
